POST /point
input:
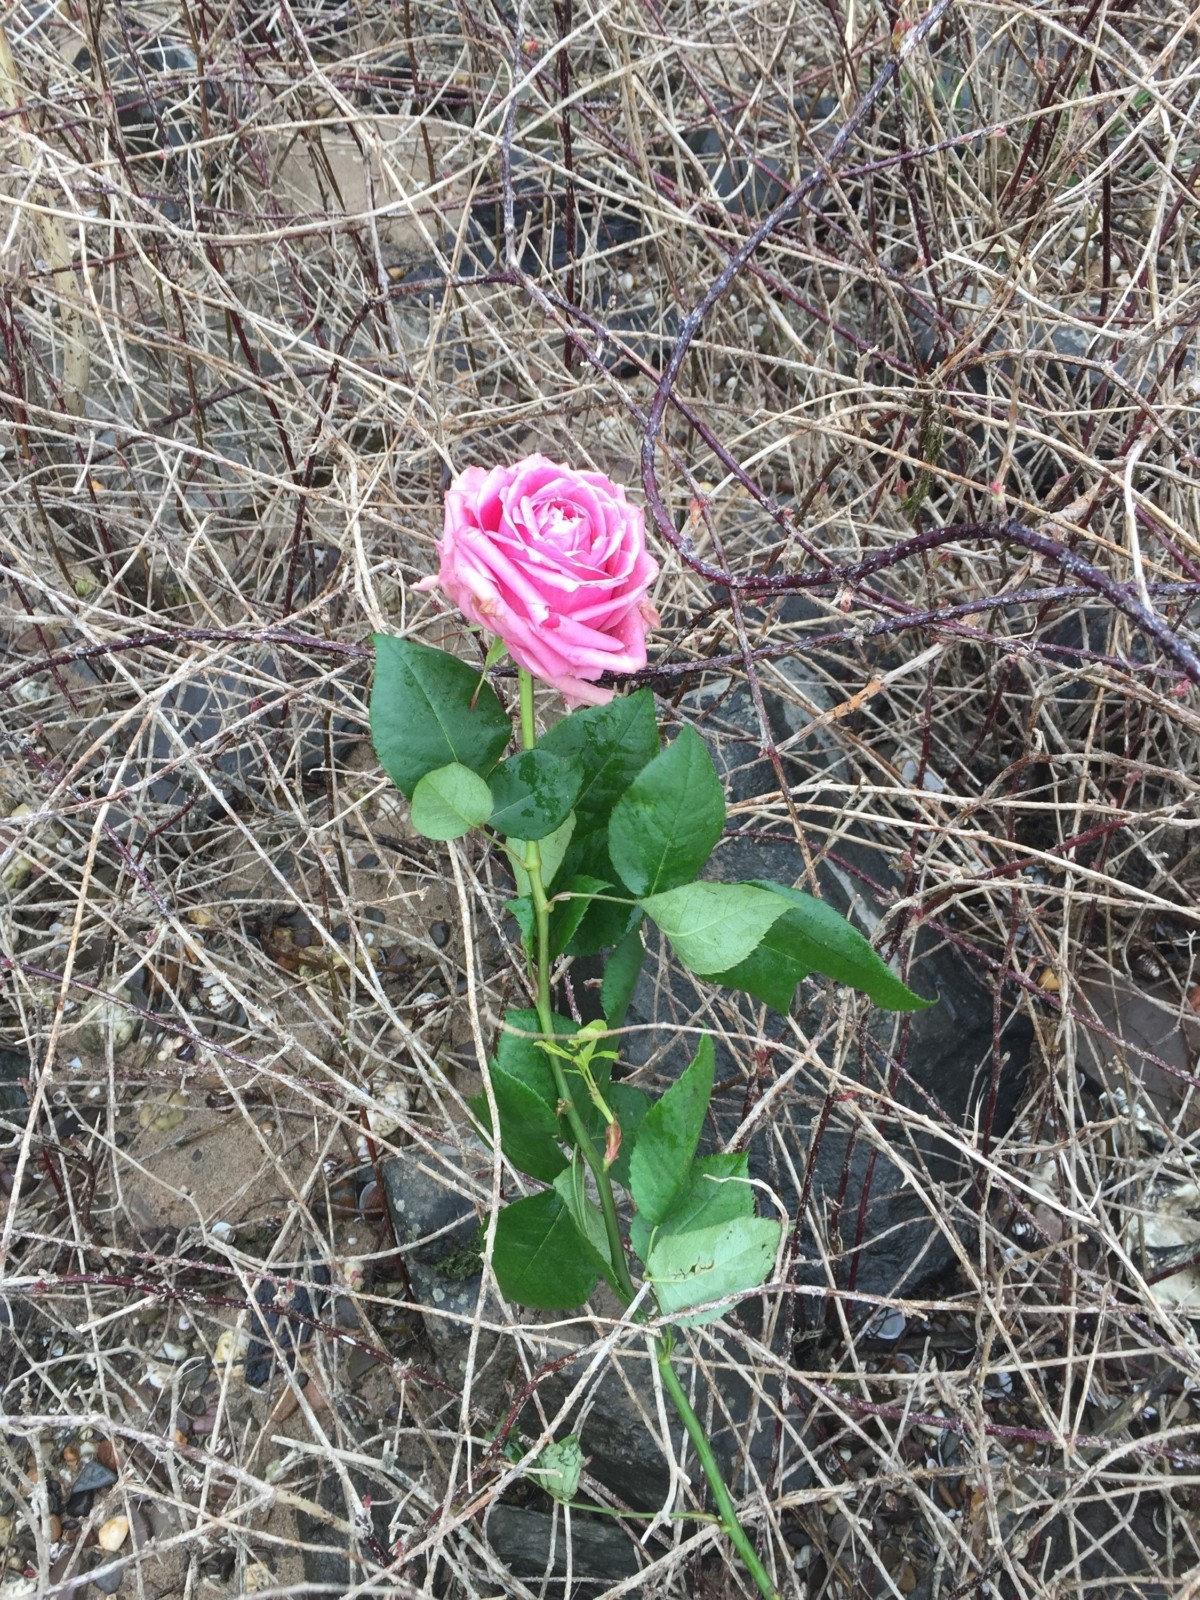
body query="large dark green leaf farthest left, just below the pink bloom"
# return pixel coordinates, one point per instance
(422, 713)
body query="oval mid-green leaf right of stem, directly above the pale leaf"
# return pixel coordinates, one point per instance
(666, 823)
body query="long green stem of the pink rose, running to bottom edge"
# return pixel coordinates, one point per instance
(663, 1343)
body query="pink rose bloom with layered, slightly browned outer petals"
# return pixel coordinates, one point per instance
(556, 564)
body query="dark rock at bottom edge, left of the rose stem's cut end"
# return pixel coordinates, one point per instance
(534, 1543)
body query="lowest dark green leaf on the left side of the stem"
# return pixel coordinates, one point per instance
(542, 1258)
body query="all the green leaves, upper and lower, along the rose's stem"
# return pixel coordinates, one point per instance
(607, 831)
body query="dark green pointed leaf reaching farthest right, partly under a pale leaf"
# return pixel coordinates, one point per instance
(815, 938)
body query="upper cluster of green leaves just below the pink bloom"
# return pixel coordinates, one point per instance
(623, 828)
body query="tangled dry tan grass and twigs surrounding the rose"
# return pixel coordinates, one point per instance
(252, 321)
